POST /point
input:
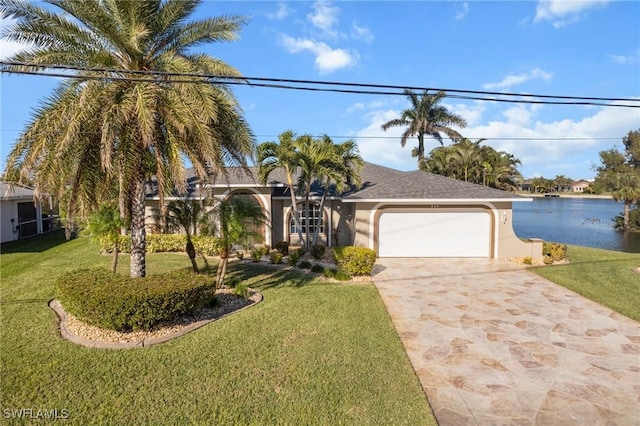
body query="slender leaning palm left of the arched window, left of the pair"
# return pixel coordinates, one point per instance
(281, 155)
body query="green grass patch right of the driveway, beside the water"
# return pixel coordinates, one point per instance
(603, 276)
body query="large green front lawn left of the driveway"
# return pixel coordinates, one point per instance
(310, 353)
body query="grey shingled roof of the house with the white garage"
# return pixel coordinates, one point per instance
(378, 183)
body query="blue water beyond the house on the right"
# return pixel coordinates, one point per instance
(580, 221)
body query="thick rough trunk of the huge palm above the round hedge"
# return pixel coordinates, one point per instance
(138, 231)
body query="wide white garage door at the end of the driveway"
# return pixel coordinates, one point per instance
(434, 234)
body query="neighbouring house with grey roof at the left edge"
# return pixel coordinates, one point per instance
(20, 215)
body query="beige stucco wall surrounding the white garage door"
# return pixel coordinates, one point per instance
(504, 244)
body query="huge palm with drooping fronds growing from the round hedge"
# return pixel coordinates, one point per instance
(102, 127)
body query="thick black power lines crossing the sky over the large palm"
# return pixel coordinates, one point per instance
(160, 77)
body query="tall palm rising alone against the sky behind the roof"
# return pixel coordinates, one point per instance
(426, 117)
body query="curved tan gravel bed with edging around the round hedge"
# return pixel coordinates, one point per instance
(90, 336)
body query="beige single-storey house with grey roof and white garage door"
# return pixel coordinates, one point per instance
(395, 213)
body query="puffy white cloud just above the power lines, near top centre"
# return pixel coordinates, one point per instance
(327, 59)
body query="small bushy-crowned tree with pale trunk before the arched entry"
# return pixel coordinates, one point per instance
(238, 218)
